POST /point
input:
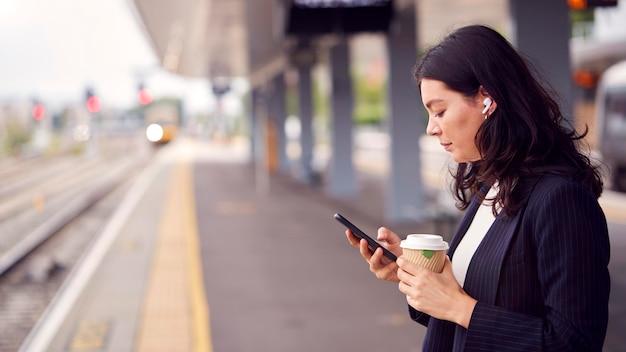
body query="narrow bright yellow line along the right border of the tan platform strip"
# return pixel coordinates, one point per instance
(202, 341)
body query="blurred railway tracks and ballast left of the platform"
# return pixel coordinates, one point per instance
(51, 210)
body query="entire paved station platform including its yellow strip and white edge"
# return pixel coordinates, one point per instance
(208, 253)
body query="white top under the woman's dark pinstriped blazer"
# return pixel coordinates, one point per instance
(475, 233)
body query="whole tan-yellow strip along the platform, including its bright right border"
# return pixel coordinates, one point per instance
(175, 313)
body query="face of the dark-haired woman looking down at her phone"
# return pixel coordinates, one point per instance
(453, 118)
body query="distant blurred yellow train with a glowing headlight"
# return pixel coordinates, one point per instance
(162, 120)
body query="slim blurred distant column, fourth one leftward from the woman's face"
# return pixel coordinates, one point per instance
(278, 114)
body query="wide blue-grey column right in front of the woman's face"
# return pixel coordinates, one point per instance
(405, 190)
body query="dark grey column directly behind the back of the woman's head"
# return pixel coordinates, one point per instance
(541, 30)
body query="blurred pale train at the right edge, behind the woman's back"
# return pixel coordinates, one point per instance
(611, 122)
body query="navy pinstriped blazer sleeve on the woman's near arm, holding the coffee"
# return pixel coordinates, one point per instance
(570, 234)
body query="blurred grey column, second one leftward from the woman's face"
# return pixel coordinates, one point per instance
(341, 177)
